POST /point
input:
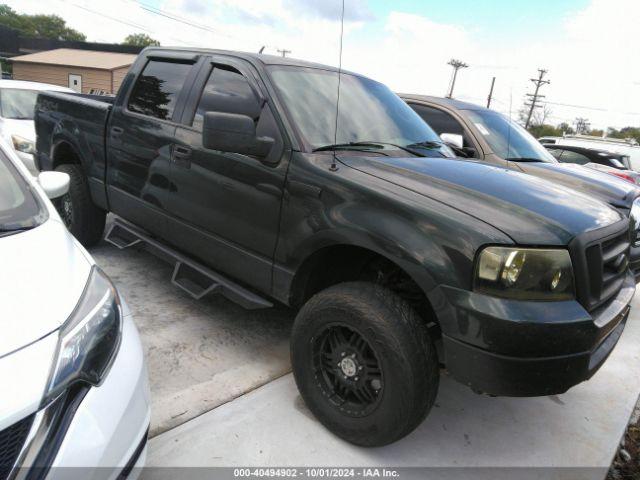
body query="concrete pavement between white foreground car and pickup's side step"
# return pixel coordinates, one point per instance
(200, 354)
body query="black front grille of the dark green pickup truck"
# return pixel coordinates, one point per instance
(601, 261)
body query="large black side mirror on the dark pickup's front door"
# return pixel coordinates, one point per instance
(234, 133)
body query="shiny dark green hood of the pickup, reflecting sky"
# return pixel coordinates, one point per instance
(528, 209)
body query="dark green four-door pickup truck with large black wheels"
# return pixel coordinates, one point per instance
(399, 257)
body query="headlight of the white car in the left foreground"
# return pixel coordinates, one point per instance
(89, 339)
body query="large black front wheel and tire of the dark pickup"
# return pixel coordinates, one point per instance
(364, 363)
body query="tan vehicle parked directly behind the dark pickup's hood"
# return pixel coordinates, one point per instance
(478, 133)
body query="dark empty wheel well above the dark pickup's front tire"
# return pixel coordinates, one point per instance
(343, 263)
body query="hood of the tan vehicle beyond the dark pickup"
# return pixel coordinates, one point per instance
(614, 191)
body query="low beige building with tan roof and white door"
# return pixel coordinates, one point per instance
(84, 71)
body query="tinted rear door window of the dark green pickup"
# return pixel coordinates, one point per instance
(157, 88)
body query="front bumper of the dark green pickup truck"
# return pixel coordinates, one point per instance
(514, 348)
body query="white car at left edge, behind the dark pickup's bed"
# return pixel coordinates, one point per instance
(17, 104)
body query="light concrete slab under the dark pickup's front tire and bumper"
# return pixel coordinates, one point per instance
(271, 427)
